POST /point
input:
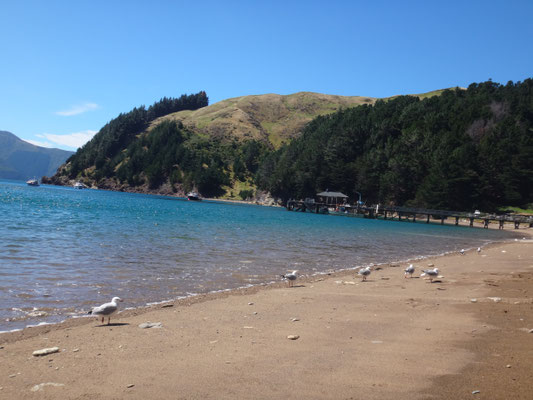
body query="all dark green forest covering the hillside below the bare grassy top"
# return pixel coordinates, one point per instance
(465, 149)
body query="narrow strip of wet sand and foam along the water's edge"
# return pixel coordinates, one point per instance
(252, 288)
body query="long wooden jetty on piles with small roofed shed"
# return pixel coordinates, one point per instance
(403, 213)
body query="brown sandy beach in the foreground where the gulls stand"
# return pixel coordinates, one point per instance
(387, 338)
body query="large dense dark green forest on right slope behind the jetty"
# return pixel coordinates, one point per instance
(463, 150)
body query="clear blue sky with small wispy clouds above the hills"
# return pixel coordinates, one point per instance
(69, 67)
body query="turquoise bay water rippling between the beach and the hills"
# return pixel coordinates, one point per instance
(64, 250)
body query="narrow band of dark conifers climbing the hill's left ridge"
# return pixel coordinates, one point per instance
(104, 151)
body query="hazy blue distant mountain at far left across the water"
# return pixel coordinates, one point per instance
(21, 160)
